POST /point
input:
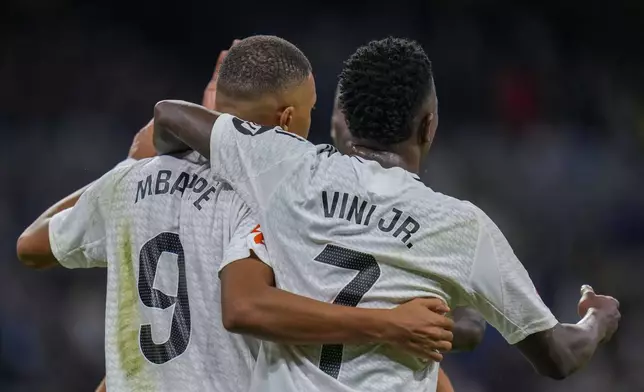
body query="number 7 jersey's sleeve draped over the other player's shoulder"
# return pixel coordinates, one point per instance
(254, 159)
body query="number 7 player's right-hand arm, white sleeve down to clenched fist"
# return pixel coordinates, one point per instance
(555, 350)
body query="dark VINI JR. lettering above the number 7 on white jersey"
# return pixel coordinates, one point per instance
(352, 208)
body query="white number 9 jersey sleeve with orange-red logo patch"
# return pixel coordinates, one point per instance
(246, 236)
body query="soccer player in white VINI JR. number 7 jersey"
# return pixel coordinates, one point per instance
(345, 229)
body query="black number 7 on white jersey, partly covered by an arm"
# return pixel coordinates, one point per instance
(350, 295)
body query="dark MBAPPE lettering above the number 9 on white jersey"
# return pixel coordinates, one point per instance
(164, 182)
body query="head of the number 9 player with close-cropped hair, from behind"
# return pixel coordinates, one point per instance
(267, 80)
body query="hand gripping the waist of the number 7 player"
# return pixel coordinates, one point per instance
(421, 329)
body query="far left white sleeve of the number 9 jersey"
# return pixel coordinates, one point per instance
(77, 235)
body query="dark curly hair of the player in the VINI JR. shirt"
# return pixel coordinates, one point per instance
(382, 87)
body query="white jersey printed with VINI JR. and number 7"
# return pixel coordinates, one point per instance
(345, 230)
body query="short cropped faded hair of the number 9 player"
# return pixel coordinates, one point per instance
(262, 64)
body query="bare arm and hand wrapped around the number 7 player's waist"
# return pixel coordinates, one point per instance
(251, 305)
